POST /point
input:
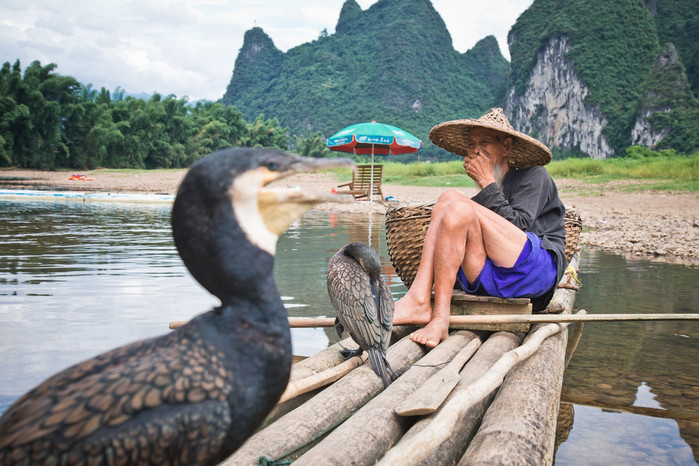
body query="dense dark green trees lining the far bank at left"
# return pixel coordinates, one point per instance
(49, 121)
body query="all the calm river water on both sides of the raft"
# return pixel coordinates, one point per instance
(78, 279)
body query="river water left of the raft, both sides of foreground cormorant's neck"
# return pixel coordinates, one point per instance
(78, 279)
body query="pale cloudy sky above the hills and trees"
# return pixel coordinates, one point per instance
(188, 47)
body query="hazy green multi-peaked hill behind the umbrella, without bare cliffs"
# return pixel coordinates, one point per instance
(393, 62)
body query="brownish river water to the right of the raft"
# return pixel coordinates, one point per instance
(634, 374)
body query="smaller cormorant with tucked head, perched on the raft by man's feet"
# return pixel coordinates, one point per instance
(363, 303)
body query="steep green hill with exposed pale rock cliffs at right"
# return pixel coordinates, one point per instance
(593, 77)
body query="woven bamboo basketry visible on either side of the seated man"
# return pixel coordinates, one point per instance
(406, 226)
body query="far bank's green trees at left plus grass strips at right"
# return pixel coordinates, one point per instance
(49, 121)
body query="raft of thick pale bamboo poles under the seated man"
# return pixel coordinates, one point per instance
(503, 409)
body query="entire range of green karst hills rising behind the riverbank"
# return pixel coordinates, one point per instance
(589, 77)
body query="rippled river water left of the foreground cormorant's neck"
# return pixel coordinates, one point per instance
(79, 279)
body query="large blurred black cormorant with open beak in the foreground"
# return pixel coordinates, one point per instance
(194, 395)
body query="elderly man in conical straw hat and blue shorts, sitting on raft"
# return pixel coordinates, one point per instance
(507, 241)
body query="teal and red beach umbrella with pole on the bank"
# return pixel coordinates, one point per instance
(375, 139)
